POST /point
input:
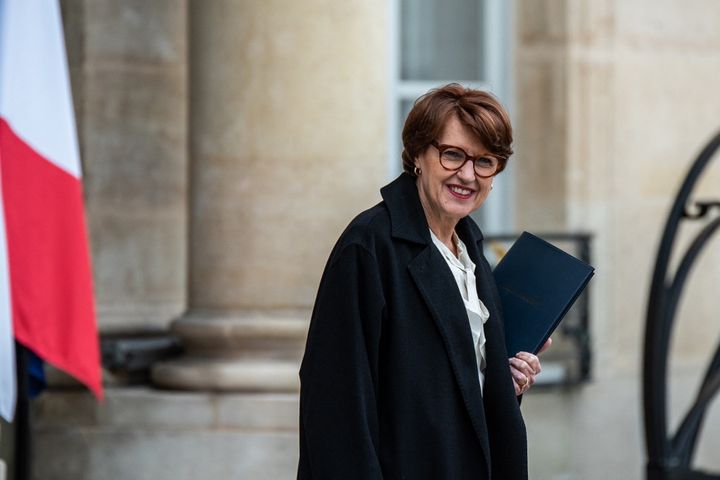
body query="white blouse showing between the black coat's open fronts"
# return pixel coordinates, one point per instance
(463, 269)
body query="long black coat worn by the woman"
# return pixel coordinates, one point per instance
(389, 384)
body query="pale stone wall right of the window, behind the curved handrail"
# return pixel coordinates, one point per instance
(616, 99)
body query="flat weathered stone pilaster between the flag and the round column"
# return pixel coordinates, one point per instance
(128, 66)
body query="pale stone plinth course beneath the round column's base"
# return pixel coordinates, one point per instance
(141, 433)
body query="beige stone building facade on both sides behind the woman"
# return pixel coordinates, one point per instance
(227, 143)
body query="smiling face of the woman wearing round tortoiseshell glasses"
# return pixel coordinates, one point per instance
(448, 196)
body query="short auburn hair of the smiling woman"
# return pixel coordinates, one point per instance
(480, 111)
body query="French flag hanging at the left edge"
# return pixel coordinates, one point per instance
(46, 294)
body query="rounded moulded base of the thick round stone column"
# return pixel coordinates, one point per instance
(238, 351)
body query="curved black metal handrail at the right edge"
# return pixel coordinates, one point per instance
(670, 458)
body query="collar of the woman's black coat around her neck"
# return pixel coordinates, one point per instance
(408, 218)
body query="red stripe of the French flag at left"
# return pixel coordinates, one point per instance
(49, 262)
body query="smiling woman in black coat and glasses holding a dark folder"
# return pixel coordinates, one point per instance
(405, 373)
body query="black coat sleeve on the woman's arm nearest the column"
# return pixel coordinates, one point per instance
(338, 410)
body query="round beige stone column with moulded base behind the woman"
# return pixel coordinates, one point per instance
(287, 144)
